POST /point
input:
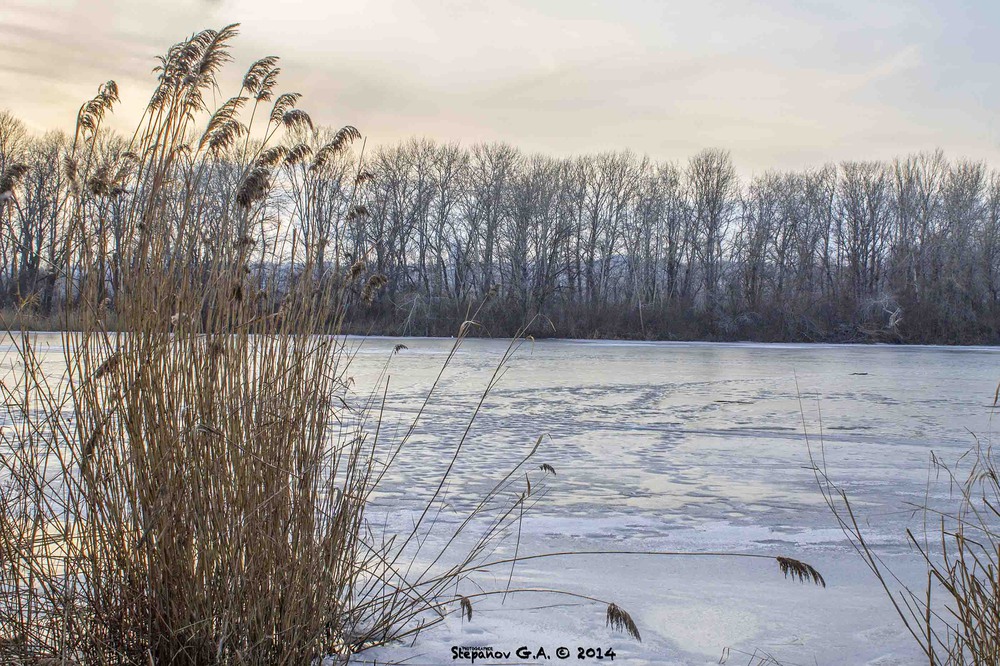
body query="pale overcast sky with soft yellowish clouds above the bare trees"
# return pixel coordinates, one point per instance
(781, 84)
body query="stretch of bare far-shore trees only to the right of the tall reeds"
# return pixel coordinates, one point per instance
(618, 245)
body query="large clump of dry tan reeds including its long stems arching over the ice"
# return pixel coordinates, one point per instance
(194, 485)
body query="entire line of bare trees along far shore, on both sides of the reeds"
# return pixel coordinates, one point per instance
(608, 245)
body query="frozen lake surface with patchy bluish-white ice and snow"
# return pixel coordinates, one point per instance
(685, 446)
